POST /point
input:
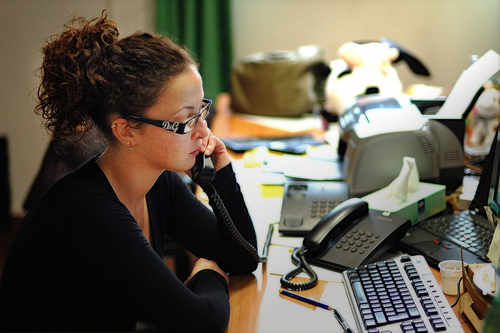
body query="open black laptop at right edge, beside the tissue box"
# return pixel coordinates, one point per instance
(440, 238)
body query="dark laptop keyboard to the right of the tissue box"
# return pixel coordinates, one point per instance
(466, 229)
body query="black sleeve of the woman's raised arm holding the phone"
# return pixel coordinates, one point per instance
(199, 231)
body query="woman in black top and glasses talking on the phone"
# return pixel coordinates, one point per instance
(89, 256)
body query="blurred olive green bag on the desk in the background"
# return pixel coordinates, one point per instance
(286, 83)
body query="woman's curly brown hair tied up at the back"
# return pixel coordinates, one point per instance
(88, 74)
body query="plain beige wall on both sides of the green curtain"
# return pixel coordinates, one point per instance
(443, 33)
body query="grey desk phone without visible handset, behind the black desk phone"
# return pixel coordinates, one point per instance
(305, 202)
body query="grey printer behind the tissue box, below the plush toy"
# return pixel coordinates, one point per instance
(377, 131)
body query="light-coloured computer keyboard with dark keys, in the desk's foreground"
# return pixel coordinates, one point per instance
(398, 295)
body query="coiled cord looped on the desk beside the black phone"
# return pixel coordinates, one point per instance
(298, 258)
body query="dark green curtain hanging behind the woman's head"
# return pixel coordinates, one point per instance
(204, 28)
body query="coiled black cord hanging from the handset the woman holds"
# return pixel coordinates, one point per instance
(222, 214)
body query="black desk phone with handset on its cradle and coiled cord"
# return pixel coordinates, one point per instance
(348, 236)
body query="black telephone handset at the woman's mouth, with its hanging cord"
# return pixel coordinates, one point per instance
(203, 173)
